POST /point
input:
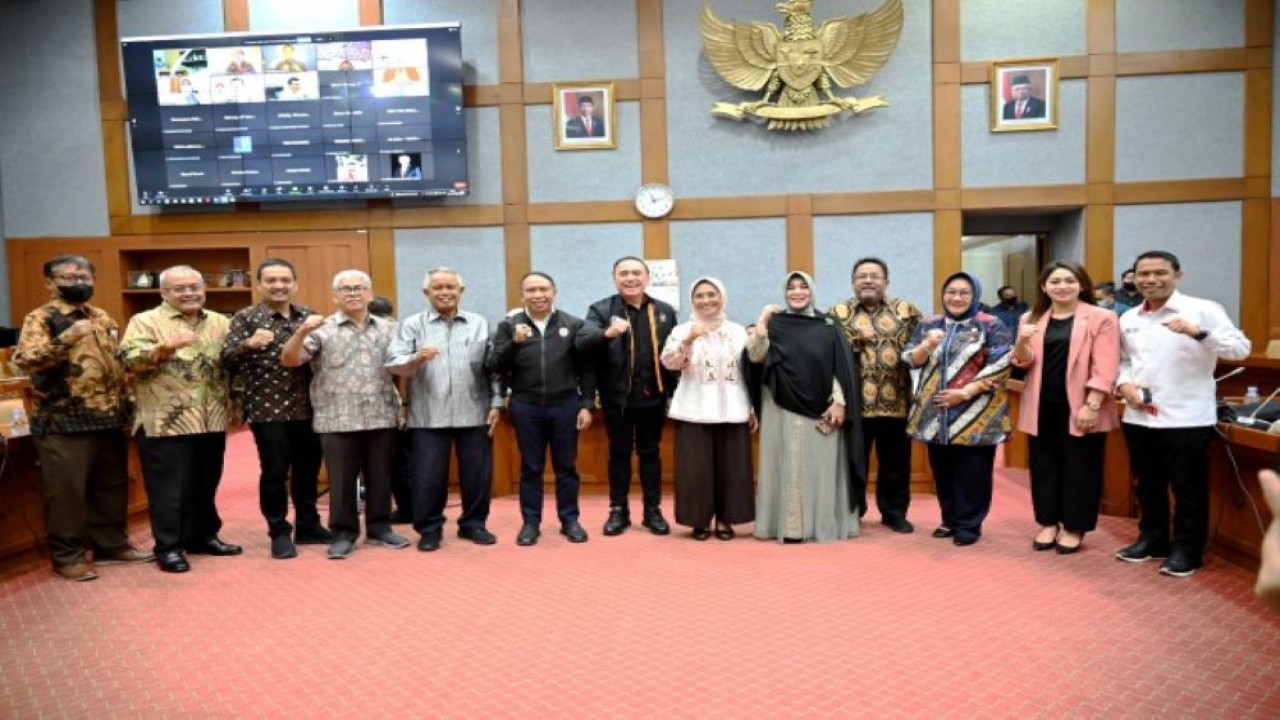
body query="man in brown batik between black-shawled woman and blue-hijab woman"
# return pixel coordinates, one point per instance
(879, 329)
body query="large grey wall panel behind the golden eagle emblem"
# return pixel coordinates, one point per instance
(885, 149)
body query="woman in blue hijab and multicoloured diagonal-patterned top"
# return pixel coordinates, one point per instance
(961, 409)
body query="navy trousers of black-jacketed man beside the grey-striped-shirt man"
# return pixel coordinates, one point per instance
(538, 430)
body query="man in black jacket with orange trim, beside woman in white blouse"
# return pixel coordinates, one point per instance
(628, 332)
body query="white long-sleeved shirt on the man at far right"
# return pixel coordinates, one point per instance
(1178, 370)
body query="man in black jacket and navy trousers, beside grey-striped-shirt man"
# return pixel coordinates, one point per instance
(552, 395)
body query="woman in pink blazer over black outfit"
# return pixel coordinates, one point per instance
(1071, 350)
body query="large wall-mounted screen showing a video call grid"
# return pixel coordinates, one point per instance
(301, 116)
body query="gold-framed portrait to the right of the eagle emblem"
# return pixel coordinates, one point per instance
(1025, 95)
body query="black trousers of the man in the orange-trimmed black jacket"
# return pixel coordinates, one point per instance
(637, 430)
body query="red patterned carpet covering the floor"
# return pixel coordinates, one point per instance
(642, 627)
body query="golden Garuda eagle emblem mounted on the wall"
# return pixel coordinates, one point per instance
(801, 65)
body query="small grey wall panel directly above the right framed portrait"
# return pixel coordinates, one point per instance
(991, 30)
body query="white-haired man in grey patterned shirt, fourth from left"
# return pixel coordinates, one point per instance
(355, 411)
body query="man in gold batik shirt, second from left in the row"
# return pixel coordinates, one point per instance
(175, 356)
